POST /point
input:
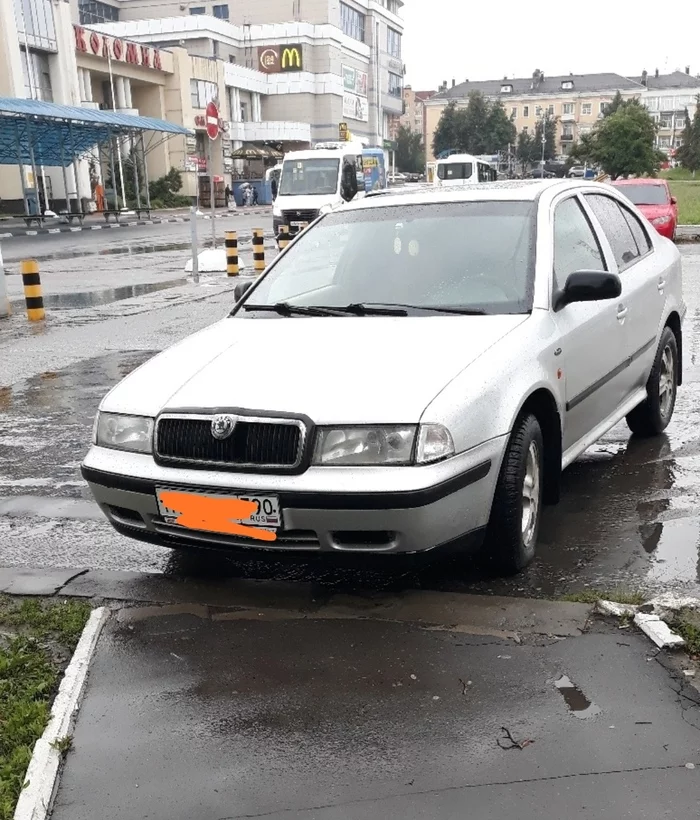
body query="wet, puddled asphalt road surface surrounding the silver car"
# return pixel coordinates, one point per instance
(628, 515)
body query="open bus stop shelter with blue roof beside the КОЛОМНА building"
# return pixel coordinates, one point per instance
(35, 134)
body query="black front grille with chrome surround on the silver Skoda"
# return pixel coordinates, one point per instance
(261, 443)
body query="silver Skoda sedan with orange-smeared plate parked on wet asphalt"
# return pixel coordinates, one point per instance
(413, 372)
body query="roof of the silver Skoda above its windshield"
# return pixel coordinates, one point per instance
(504, 190)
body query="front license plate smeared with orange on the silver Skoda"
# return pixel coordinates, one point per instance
(214, 511)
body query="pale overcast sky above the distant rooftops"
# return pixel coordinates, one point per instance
(446, 39)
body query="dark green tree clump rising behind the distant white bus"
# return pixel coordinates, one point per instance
(483, 127)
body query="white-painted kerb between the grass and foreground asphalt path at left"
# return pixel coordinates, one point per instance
(36, 799)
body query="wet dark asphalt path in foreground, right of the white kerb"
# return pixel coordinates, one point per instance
(191, 717)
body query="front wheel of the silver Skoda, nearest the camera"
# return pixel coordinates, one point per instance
(511, 535)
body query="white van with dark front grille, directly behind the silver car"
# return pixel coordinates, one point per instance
(323, 178)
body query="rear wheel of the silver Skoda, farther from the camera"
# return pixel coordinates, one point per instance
(654, 414)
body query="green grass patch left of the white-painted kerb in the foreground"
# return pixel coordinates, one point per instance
(36, 637)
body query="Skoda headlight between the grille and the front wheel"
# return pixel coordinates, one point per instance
(392, 445)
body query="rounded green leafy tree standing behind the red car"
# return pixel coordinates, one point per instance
(622, 143)
